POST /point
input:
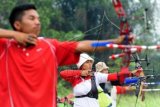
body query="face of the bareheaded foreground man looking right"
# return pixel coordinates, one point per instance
(29, 23)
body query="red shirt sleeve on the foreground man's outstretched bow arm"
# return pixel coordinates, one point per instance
(66, 52)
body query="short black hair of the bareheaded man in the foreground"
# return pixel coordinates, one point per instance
(18, 11)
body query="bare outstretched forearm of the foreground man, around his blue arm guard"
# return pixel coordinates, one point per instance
(86, 46)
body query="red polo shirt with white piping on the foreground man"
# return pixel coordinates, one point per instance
(28, 76)
